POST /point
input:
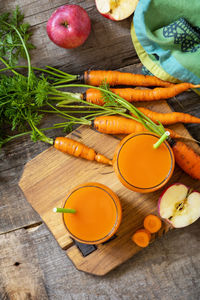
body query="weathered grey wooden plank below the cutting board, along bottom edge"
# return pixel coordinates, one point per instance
(168, 269)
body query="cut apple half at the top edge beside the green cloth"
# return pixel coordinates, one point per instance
(116, 10)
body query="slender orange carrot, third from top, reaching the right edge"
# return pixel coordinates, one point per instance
(169, 118)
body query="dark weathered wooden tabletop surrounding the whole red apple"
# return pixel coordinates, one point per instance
(110, 41)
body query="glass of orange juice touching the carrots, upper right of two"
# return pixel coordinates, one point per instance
(139, 166)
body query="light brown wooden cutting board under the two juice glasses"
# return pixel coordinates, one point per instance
(48, 177)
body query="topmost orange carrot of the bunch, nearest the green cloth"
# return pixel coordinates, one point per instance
(113, 78)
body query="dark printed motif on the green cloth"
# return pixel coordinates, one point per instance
(184, 34)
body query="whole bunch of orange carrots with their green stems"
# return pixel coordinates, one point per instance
(115, 120)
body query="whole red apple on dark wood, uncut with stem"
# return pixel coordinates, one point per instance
(69, 26)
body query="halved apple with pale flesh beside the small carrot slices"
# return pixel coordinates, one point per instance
(179, 205)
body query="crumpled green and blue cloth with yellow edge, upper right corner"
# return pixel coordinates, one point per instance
(166, 36)
